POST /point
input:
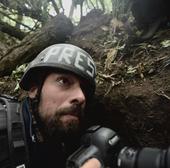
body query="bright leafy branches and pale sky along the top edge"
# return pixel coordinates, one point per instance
(29, 15)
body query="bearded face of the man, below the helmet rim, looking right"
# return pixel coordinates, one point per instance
(62, 103)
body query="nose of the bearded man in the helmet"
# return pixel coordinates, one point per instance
(78, 96)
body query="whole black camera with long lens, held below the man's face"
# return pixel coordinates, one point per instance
(105, 145)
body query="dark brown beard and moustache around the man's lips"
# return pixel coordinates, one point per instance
(55, 128)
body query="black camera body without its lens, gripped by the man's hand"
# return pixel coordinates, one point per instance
(98, 142)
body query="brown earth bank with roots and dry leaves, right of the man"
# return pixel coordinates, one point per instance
(133, 83)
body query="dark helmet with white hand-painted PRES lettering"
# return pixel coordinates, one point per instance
(66, 57)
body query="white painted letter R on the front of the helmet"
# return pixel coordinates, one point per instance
(66, 55)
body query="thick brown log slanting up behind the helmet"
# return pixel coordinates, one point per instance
(55, 31)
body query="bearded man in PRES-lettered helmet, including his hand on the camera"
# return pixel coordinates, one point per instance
(60, 82)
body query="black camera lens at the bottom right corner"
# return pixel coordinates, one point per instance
(144, 158)
